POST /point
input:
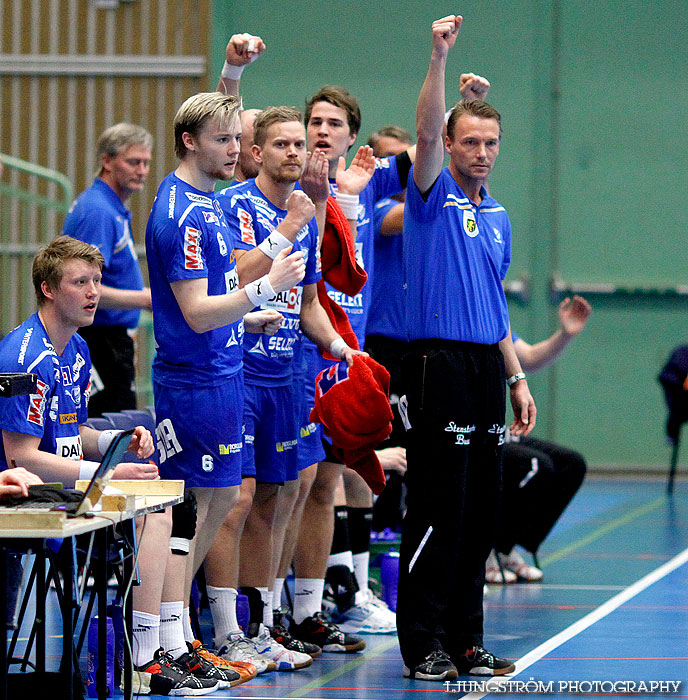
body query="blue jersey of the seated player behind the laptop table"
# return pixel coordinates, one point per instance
(60, 403)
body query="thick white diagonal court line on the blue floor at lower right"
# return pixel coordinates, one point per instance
(590, 619)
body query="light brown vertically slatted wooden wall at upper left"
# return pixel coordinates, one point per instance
(53, 116)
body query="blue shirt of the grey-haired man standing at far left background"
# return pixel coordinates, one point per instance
(98, 216)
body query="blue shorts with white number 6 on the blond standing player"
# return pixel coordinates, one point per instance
(198, 432)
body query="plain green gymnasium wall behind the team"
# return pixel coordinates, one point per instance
(592, 170)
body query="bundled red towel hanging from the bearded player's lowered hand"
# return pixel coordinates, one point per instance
(352, 403)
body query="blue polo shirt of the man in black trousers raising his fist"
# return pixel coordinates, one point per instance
(456, 255)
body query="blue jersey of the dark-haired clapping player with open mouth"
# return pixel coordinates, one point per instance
(385, 182)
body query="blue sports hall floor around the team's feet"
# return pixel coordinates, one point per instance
(609, 620)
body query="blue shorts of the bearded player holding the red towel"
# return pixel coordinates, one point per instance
(270, 430)
